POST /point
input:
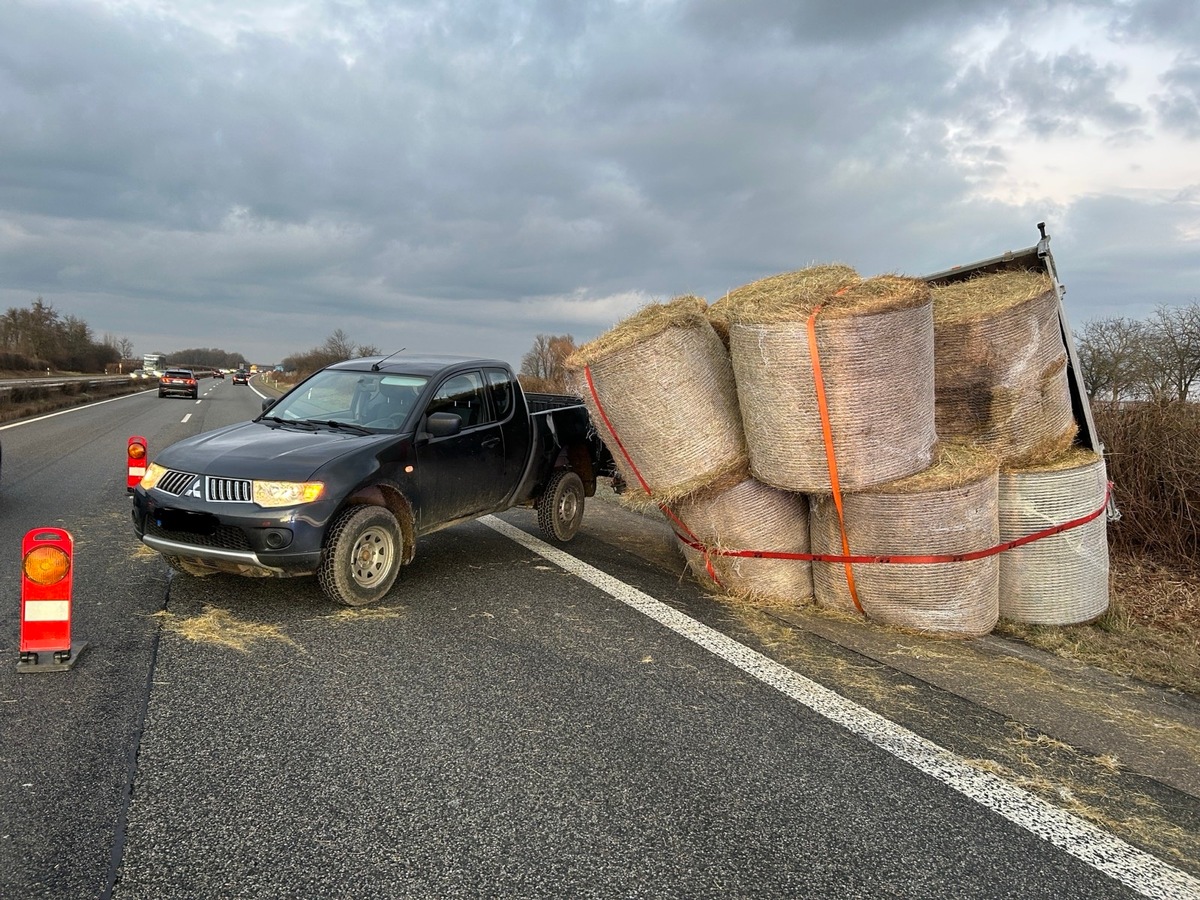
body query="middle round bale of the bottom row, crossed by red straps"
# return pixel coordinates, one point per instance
(947, 511)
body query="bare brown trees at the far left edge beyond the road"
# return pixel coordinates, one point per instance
(39, 338)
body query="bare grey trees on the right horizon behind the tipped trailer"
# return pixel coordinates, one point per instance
(1156, 359)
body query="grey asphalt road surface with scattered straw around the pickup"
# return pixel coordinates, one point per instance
(513, 721)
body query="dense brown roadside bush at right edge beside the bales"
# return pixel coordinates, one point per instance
(1154, 460)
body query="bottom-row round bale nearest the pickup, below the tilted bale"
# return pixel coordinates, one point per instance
(751, 515)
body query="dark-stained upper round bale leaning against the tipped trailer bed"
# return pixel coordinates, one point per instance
(1003, 367)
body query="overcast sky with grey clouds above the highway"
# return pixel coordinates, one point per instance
(461, 176)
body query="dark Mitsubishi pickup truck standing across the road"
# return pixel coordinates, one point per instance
(341, 475)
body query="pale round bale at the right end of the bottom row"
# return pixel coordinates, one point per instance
(1061, 580)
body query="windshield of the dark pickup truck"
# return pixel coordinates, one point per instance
(381, 403)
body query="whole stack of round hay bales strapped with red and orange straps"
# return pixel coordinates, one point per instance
(949, 415)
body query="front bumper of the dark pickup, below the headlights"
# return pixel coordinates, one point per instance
(243, 539)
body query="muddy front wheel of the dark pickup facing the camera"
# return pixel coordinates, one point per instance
(362, 556)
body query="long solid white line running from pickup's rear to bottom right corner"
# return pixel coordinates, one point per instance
(1136, 869)
